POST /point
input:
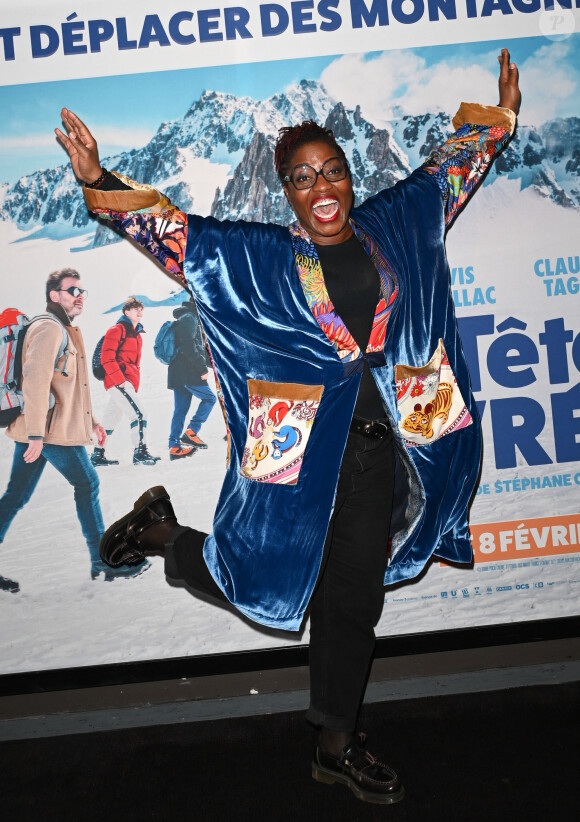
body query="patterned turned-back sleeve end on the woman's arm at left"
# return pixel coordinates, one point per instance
(148, 218)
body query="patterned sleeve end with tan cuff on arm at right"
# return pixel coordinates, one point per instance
(459, 164)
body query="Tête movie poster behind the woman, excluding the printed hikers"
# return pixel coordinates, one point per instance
(185, 100)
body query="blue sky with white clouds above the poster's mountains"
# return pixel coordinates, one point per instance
(128, 109)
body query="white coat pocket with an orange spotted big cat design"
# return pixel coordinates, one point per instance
(429, 401)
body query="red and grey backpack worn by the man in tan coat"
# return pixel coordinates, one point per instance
(13, 327)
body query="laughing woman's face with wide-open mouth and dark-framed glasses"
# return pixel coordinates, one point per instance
(323, 209)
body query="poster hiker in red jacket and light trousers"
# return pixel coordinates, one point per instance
(121, 359)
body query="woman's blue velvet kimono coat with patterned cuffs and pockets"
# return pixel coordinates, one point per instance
(269, 351)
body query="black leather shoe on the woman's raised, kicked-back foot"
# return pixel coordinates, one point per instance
(123, 542)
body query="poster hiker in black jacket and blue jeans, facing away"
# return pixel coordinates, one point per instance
(187, 377)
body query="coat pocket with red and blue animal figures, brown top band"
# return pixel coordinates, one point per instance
(280, 417)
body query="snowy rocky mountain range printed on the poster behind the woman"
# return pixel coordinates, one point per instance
(218, 159)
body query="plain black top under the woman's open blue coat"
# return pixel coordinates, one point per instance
(353, 285)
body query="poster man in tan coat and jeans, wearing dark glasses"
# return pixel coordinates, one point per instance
(57, 421)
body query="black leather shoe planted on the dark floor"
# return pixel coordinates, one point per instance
(367, 777)
